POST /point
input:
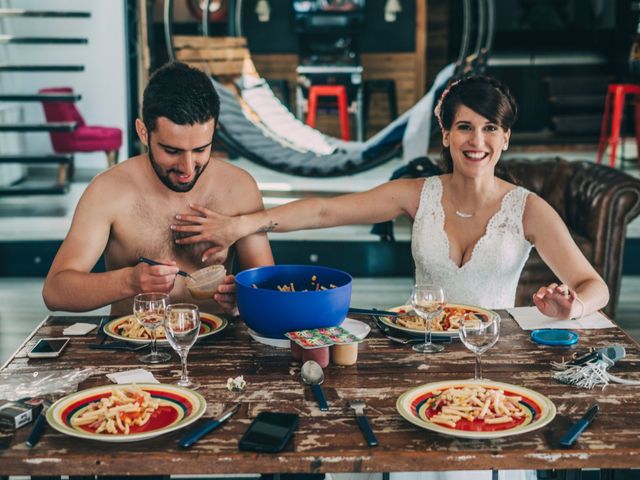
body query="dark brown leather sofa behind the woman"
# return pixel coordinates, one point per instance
(595, 202)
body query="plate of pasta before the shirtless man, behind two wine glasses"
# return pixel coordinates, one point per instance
(129, 329)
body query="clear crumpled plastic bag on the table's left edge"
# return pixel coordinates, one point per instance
(51, 382)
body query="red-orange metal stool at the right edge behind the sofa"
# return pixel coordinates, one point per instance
(617, 91)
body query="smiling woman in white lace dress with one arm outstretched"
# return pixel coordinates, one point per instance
(472, 231)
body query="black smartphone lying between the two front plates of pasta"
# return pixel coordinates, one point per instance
(269, 432)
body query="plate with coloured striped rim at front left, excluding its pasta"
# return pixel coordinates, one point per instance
(177, 408)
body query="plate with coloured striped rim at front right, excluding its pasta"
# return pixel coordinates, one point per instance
(535, 410)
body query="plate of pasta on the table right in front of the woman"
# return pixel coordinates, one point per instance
(445, 324)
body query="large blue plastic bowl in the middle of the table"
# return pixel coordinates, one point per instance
(272, 313)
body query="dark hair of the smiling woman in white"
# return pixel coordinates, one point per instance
(484, 95)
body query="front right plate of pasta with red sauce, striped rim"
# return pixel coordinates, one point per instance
(481, 409)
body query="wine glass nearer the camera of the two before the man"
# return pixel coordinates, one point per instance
(182, 325)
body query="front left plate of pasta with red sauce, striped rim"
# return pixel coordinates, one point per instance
(126, 413)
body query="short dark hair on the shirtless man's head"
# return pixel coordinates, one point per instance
(180, 93)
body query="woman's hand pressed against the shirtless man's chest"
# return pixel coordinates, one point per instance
(209, 226)
